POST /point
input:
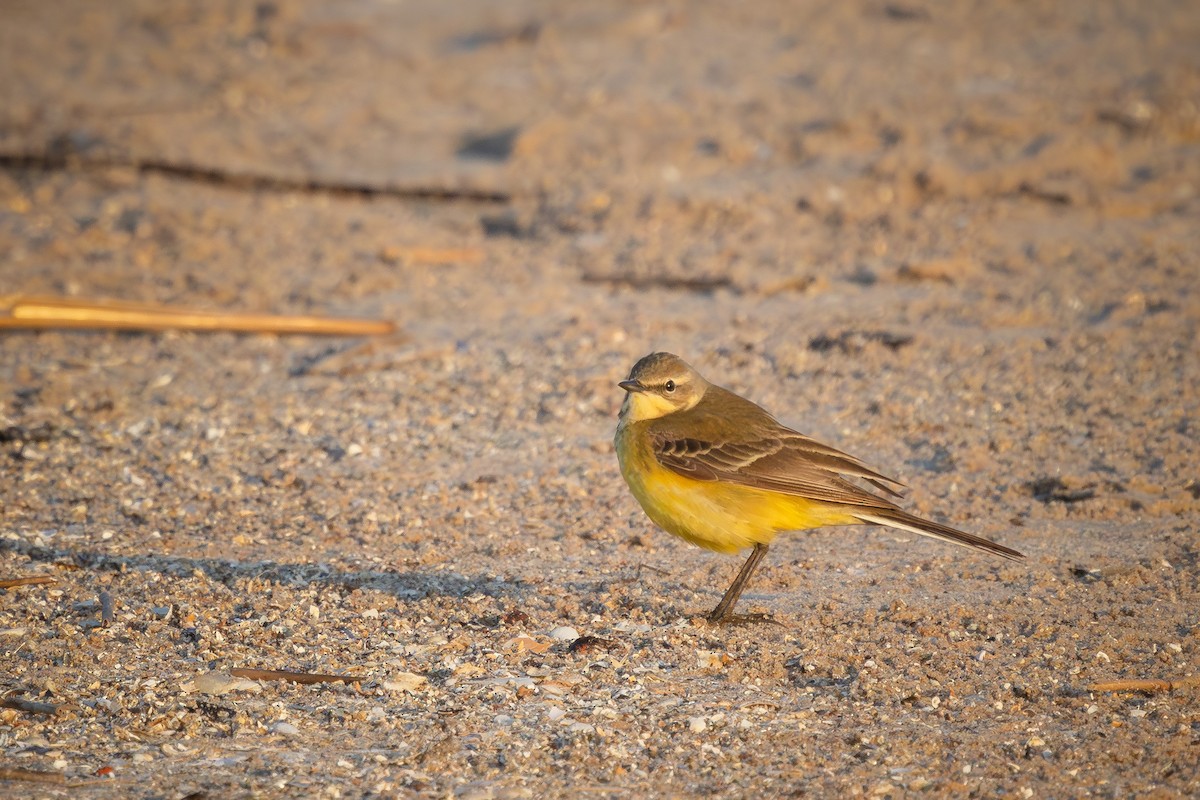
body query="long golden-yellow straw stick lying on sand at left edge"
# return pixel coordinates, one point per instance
(33, 312)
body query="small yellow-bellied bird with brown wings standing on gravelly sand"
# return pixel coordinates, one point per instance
(718, 471)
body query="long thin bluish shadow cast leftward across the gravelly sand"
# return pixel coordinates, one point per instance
(405, 586)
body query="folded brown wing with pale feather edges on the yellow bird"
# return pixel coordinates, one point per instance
(785, 461)
